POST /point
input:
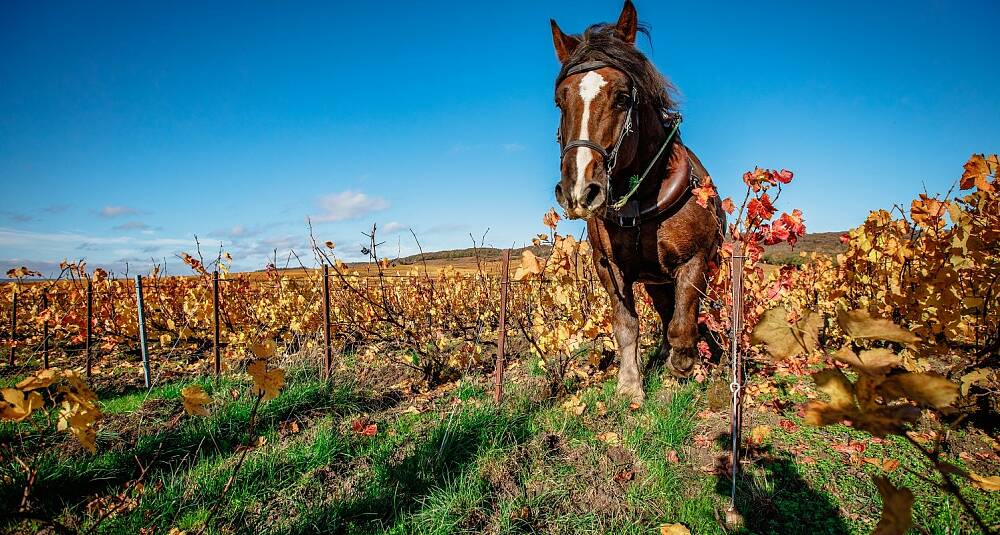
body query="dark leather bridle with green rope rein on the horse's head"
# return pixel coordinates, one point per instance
(669, 120)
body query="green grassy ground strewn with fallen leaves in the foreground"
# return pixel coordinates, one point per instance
(463, 465)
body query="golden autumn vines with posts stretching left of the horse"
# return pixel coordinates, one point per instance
(436, 323)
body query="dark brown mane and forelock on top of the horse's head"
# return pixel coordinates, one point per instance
(599, 43)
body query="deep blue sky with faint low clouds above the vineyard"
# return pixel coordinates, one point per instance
(127, 128)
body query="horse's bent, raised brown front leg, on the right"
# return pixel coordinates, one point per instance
(682, 332)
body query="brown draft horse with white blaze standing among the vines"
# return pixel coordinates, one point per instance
(626, 171)
